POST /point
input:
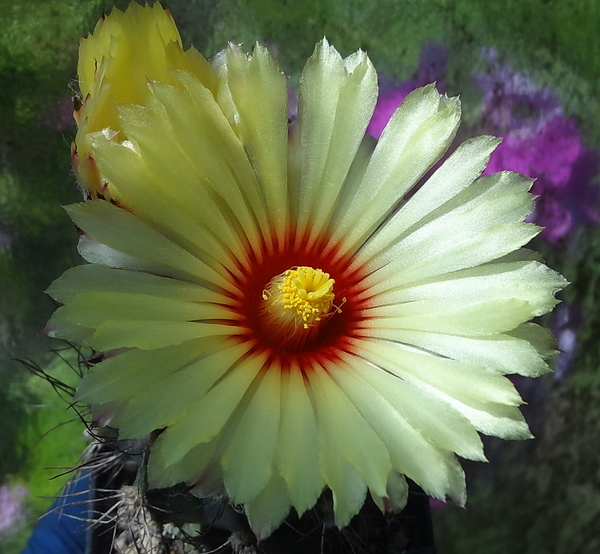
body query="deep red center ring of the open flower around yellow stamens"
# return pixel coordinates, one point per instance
(292, 339)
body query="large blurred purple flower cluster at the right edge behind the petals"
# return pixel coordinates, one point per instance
(540, 142)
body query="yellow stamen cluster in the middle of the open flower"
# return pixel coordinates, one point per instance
(306, 292)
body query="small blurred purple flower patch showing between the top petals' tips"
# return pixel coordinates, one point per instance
(432, 65)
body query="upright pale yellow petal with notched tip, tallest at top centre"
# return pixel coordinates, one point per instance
(330, 88)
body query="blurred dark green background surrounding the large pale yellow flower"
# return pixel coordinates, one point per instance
(540, 496)
